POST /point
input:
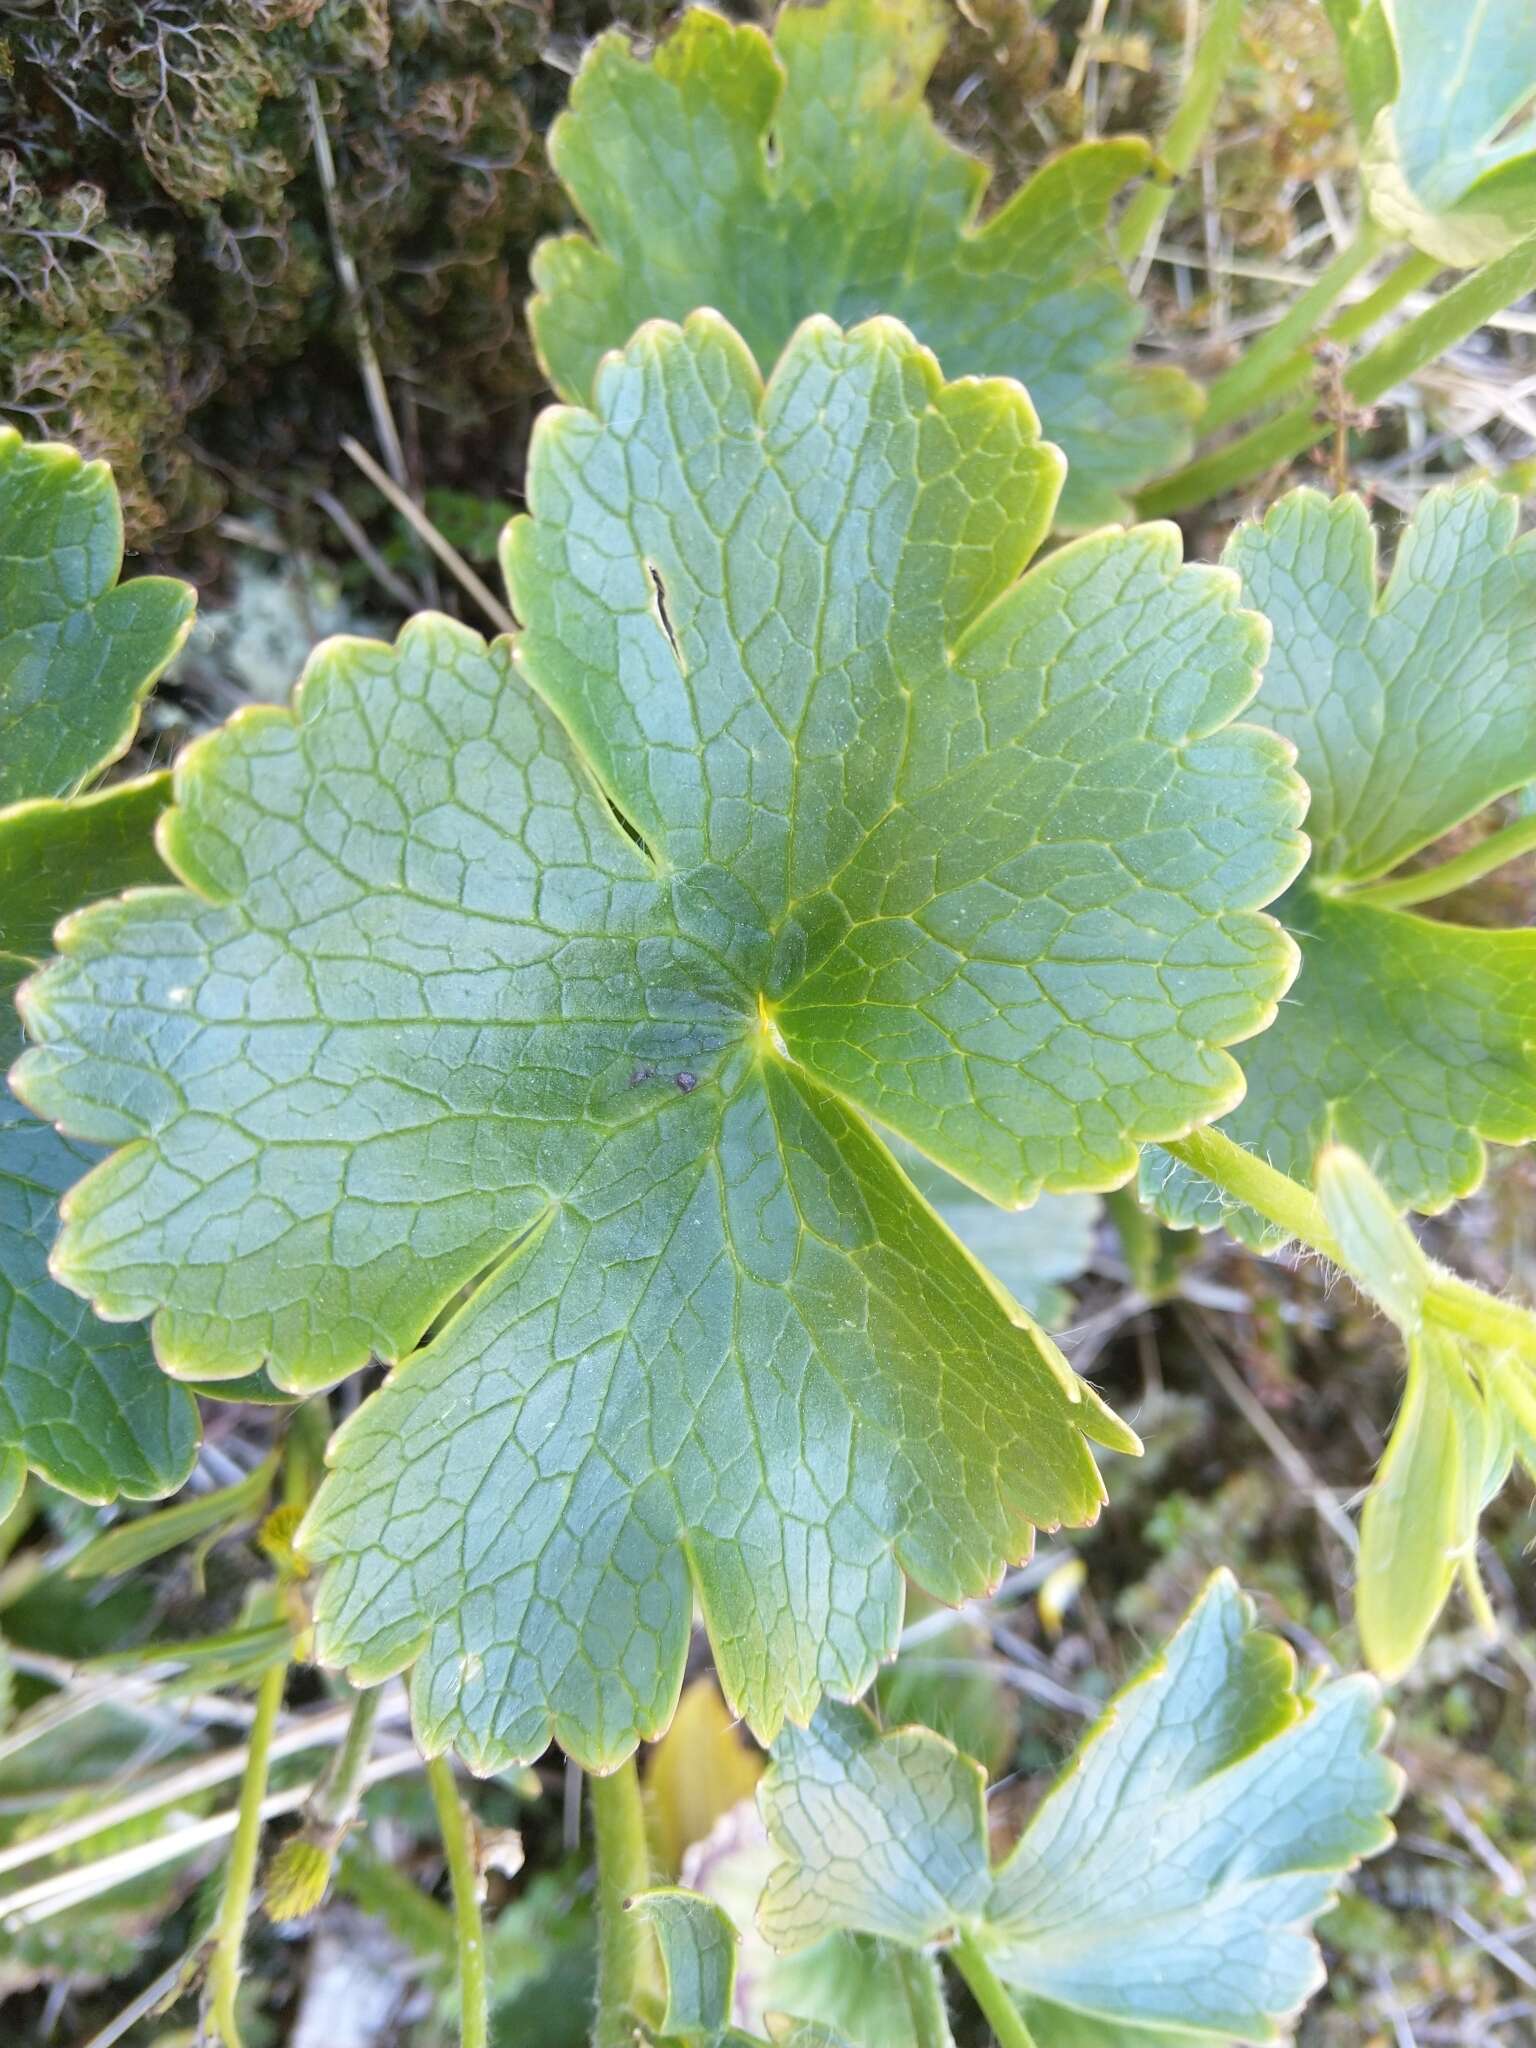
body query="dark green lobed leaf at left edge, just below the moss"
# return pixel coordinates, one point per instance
(77, 648)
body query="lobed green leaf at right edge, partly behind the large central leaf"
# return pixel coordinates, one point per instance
(1404, 1037)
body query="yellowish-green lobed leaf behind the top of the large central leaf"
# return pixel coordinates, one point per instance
(806, 177)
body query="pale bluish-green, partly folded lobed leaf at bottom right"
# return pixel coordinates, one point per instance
(1168, 1881)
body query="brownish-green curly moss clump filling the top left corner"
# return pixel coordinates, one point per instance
(167, 243)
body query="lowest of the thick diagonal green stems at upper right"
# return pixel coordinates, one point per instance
(1453, 316)
